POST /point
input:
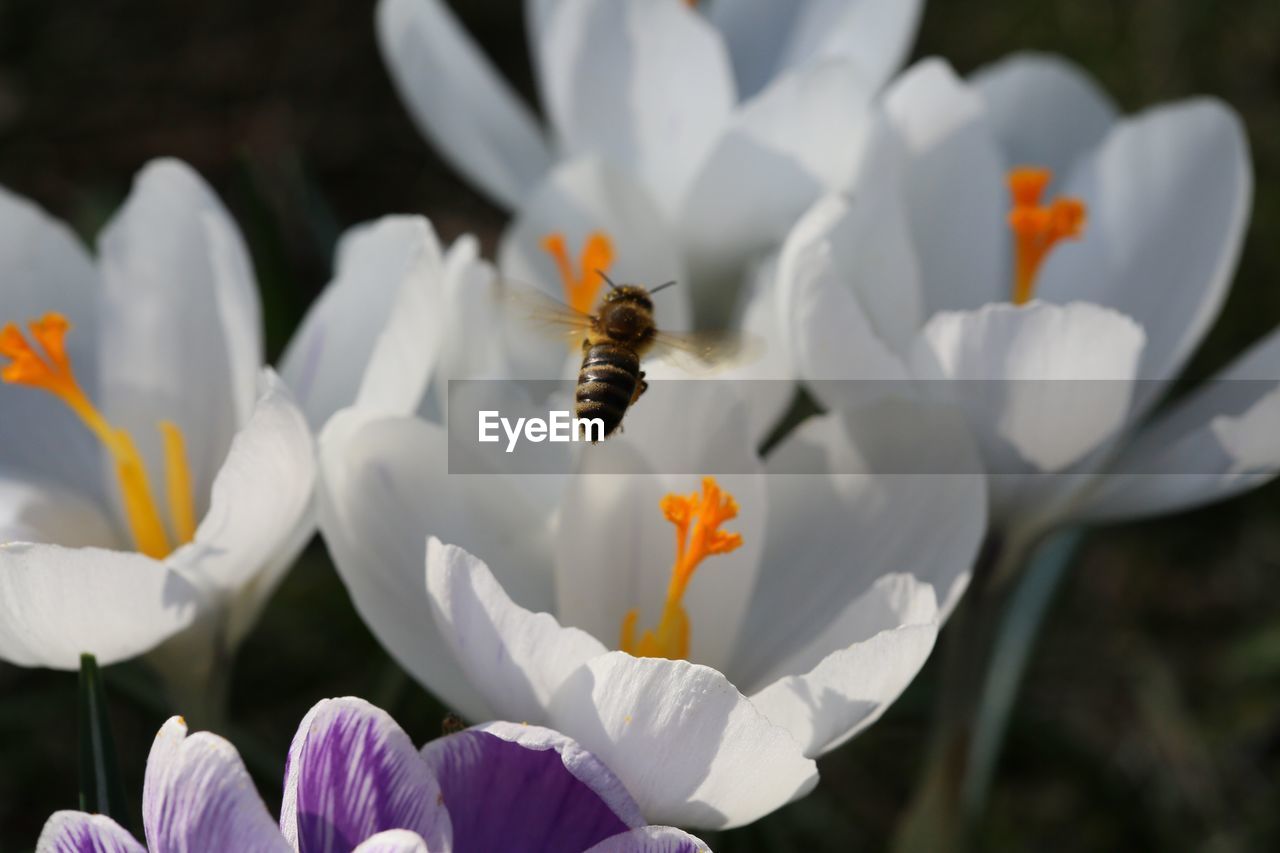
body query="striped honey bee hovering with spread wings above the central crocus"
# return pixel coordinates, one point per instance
(618, 337)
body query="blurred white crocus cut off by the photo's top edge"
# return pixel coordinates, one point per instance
(732, 117)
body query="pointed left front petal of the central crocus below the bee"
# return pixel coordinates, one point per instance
(516, 659)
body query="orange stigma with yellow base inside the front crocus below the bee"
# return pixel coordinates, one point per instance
(698, 536)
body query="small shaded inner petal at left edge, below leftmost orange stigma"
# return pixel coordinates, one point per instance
(34, 512)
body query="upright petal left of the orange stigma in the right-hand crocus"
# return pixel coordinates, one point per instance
(954, 186)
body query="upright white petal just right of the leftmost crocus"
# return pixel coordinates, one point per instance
(353, 337)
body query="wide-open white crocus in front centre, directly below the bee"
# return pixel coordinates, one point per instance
(816, 601)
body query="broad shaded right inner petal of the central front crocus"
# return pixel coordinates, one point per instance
(883, 490)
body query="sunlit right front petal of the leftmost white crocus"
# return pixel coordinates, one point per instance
(260, 496)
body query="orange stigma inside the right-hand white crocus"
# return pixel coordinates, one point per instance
(1039, 227)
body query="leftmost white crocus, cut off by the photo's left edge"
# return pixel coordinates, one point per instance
(156, 480)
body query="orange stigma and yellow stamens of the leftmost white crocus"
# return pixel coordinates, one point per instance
(52, 372)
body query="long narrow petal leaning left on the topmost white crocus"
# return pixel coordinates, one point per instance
(460, 102)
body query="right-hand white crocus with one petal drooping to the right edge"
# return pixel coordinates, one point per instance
(1016, 230)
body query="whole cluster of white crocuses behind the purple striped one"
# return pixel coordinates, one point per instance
(916, 230)
